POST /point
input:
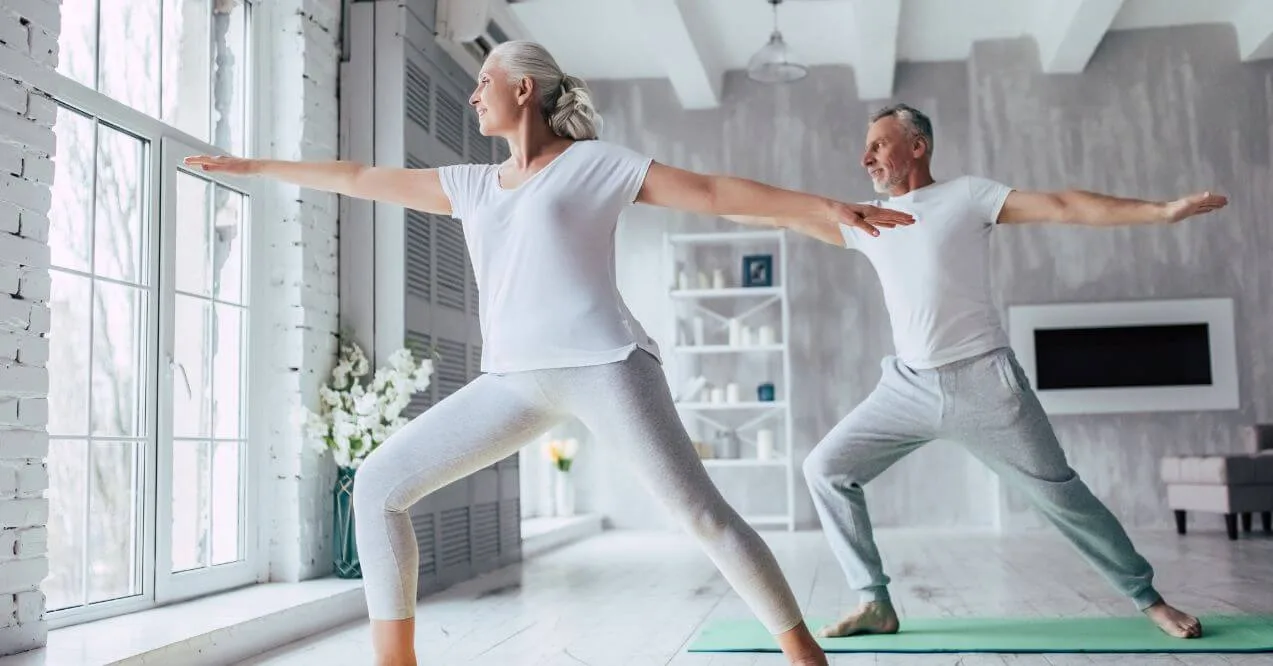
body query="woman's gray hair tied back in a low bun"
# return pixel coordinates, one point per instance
(565, 100)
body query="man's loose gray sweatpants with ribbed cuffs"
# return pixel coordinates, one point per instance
(985, 403)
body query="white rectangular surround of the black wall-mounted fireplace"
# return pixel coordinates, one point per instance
(1218, 314)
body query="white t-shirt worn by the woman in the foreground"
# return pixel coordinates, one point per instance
(544, 258)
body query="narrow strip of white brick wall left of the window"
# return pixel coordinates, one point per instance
(30, 29)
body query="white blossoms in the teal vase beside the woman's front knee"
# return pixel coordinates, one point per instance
(356, 414)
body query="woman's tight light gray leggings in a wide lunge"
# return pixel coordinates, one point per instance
(626, 406)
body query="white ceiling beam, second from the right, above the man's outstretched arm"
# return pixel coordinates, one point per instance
(1070, 31)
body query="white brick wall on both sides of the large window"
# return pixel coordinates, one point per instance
(304, 313)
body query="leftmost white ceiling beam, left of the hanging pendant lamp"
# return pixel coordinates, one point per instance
(692, 71)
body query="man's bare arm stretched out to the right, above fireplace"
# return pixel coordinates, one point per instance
(1078, 207)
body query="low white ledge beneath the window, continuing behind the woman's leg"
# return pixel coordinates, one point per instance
(243, 623)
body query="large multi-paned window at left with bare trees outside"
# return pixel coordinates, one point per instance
(151, 471)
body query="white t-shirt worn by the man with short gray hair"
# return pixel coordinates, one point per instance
(936, 273)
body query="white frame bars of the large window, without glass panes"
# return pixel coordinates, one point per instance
(167, 146)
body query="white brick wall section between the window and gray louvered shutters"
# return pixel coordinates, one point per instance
(306, 283)
